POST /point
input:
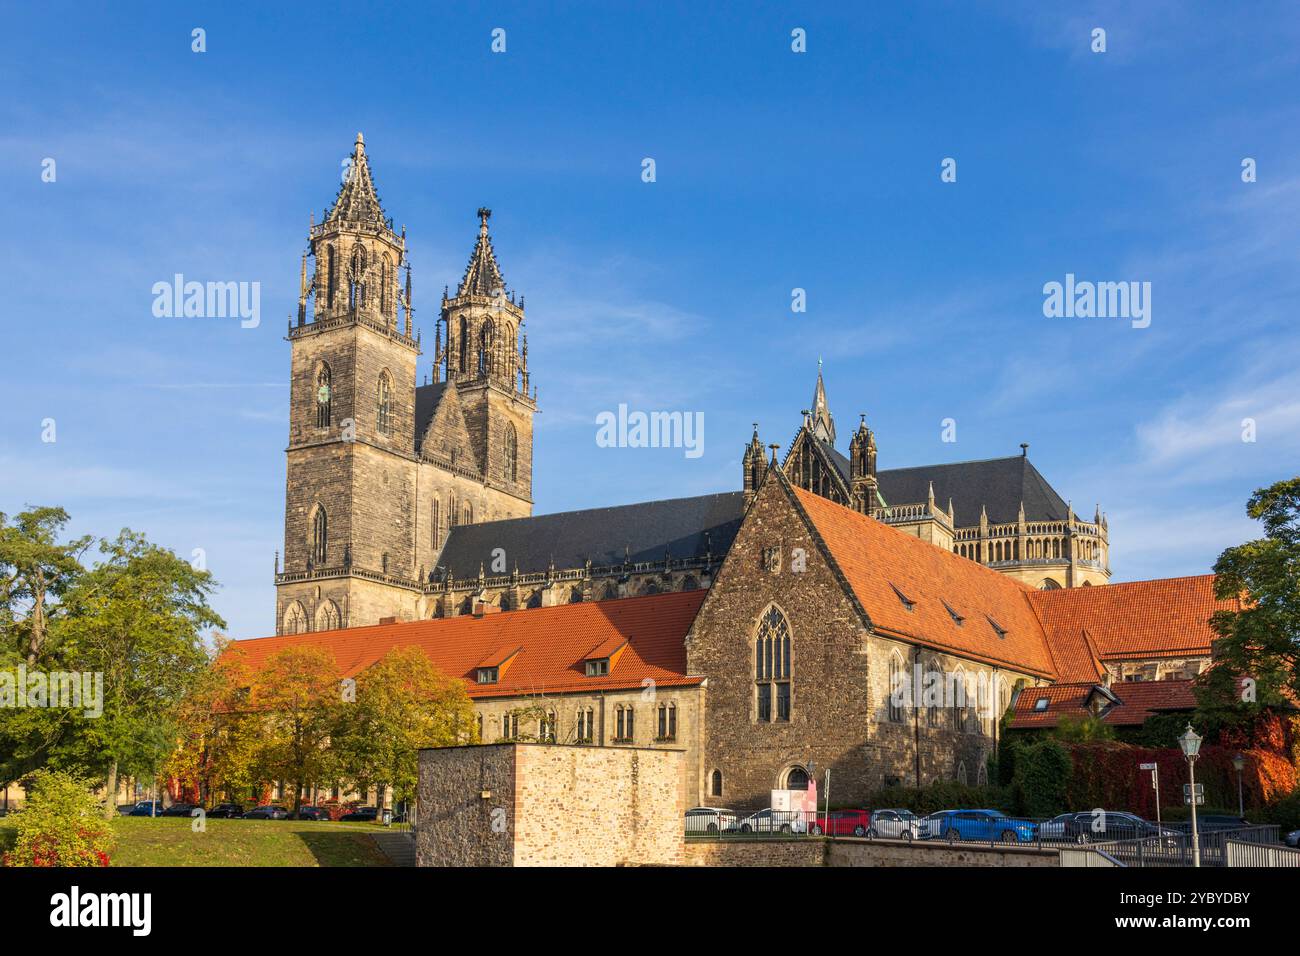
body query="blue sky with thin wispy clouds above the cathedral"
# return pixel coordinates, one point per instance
(774, 171)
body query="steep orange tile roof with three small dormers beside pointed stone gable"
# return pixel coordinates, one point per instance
(878, 560)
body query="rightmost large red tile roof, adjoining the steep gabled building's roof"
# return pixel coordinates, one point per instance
(1139, 620)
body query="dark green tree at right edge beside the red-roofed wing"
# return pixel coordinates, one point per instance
(1262, 642)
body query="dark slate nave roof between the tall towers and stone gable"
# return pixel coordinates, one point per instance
(679, 527)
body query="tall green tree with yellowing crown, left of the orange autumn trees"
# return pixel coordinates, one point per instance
(138, 618)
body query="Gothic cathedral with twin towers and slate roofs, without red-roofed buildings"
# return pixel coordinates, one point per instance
(411, 501)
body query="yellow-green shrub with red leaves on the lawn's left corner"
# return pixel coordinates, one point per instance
(62, 825)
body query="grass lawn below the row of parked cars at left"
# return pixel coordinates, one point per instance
(171, 842)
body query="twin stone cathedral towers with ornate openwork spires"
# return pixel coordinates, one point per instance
(379, 468)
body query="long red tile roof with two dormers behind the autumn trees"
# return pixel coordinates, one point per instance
(554, 643)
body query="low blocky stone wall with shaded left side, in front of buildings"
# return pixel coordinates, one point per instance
(551, 806)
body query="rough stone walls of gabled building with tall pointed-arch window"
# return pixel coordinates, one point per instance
(840, 716)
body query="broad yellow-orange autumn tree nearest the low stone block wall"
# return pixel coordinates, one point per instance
(404, 704)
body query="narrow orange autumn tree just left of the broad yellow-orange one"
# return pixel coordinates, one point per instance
(298, 697)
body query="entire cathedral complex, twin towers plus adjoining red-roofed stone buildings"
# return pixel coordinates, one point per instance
(769, 633)
